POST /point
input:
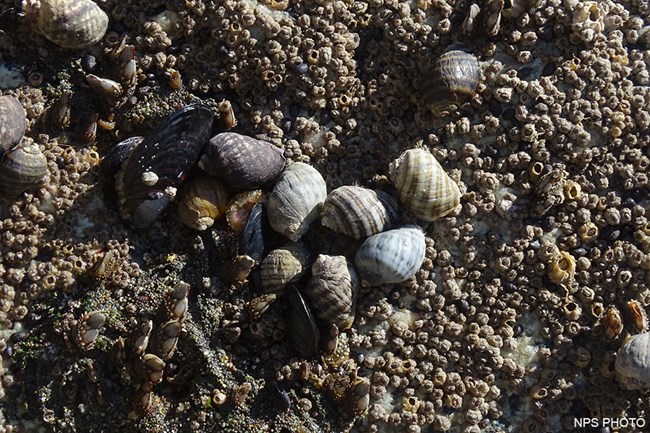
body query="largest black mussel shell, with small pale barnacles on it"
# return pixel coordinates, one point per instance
(170, 151)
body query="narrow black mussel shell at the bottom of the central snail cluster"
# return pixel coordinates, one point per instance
(302, 330)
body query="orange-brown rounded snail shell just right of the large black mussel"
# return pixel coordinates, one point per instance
(203, 201)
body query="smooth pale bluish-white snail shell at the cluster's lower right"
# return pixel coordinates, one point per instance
(391, 257)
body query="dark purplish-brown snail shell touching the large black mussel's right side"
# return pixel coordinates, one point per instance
(242, 162)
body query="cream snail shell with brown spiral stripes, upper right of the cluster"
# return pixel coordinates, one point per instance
(423, 186)
